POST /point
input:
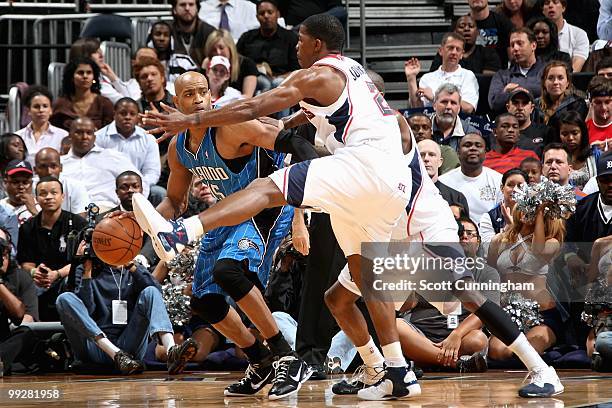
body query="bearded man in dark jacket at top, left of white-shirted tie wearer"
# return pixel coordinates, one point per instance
(188, 30)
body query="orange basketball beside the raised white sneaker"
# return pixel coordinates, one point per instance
(116, 241)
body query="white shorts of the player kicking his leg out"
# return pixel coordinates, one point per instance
(363, 189)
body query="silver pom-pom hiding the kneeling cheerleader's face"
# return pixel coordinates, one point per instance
(560, 200)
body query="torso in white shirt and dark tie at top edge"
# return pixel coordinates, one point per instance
(235, 16)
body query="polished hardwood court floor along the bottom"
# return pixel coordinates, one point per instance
(205, 389)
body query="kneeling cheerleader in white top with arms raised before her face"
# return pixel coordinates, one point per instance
(521, 255)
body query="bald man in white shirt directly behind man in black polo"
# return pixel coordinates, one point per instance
(48, 163)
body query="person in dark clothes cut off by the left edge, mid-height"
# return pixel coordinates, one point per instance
(17, 281)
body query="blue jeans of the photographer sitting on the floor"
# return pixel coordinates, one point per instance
(145, 320)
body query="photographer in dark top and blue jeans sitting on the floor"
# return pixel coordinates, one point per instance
(114, 314)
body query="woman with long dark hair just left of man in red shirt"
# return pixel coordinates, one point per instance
(571, 131)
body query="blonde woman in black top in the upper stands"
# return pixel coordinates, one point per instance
(244, 70)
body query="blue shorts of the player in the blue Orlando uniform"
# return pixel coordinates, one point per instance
(253, 241)
